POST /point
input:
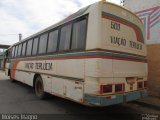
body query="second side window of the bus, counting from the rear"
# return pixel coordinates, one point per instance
(65, 38)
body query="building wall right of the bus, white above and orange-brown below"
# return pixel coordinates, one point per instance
(149, 13)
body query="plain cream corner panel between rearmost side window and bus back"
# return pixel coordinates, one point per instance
(94, 28)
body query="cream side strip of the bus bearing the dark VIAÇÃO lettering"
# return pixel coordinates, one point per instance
(62, 67)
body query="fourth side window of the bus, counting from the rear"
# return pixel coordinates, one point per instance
(43, 43)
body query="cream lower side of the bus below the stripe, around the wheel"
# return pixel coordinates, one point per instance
(67, 82)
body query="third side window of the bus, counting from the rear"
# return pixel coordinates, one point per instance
(52, 41)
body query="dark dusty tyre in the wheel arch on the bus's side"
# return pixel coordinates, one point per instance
(39, 88)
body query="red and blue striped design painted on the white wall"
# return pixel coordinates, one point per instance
(150, 18)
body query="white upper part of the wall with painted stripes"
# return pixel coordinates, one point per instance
(149, 12)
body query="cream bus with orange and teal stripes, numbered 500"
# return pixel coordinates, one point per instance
(95, 57)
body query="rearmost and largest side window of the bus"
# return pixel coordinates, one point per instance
(79, 35)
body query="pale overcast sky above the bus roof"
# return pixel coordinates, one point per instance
(30, 16)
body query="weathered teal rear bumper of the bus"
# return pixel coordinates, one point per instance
(114, 99)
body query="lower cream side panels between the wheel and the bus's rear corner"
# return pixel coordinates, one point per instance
(63, 87)
